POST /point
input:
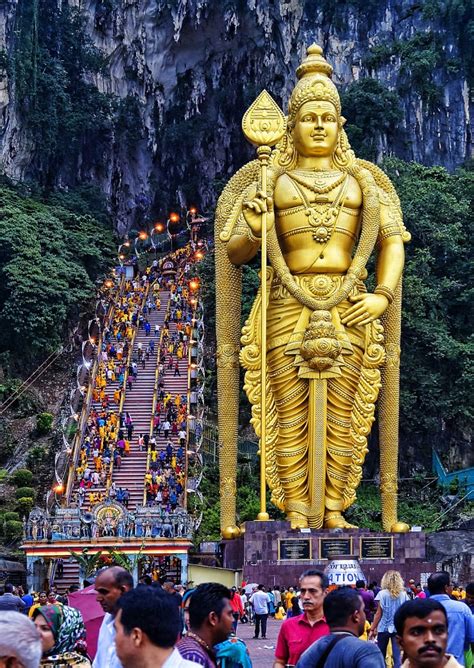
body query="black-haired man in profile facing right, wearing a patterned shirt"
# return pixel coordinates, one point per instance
(210, 622)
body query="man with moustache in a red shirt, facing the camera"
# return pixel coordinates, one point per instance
(298, 633)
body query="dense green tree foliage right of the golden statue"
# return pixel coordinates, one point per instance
(437, 344)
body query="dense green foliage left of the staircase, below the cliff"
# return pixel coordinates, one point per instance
(50, 257)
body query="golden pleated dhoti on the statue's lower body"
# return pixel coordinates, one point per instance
(318, 422)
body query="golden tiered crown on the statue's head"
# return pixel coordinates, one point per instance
(314, 83)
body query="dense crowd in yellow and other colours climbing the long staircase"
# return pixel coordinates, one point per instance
(109, 432)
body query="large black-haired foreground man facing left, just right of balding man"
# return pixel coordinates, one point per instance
(147, 625)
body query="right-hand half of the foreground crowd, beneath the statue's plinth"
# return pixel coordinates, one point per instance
(374, 622)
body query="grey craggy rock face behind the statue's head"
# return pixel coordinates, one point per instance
(190, 68)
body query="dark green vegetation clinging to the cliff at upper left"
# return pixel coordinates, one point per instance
(52, 62)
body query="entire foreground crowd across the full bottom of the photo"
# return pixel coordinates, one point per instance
(159, 623)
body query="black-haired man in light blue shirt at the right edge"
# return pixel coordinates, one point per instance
(460, 618)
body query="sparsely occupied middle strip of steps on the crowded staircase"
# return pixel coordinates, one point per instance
(138, 403)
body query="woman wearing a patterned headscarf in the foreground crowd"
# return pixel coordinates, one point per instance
(63, 636)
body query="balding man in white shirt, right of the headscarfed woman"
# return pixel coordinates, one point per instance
(111, 584)
